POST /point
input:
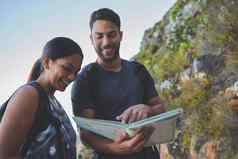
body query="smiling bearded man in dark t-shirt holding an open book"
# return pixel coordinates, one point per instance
(115, 89)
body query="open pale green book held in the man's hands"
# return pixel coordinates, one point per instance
(164, 126)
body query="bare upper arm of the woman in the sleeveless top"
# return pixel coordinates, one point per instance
(17, 121)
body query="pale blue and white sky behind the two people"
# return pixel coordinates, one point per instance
(26, 25)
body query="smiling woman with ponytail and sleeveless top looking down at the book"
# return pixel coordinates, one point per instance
(34, 124)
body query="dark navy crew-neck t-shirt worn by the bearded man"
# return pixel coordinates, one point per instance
(110, 93)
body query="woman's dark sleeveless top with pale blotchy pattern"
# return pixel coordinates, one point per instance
(52, 135)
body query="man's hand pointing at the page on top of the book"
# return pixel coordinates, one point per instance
(135, 113)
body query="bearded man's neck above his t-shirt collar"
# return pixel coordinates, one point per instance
(114, 65)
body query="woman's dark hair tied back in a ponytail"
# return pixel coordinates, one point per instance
(58, 47)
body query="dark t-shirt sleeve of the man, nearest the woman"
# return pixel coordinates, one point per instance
(81, 95)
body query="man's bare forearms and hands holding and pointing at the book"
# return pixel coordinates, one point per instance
(122, 144)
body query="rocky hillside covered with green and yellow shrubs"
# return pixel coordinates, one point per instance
(193, 56)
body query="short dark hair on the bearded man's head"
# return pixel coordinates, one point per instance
(105, 14)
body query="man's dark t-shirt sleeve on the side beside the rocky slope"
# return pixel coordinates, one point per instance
(148, 83)
